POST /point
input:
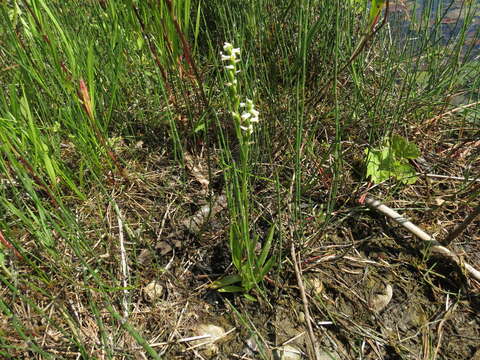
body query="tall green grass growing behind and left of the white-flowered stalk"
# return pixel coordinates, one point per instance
(78, 76)
